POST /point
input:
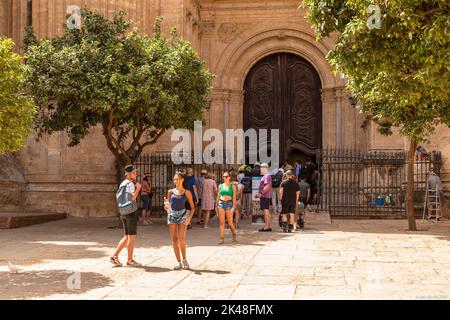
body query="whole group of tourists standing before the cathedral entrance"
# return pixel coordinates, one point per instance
(203, 194)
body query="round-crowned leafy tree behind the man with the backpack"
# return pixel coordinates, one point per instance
(133, 85)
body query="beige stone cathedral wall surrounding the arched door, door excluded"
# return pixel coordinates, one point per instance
(231, 36)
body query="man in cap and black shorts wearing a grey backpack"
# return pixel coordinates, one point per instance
(126, 197)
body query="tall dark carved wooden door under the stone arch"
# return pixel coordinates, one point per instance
(282, 91)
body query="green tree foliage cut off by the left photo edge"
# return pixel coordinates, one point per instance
(16, 109)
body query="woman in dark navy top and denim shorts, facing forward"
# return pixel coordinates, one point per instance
(178, 218)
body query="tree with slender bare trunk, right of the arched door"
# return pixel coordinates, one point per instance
(399, 70)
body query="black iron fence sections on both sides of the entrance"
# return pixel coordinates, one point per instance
(351, 183)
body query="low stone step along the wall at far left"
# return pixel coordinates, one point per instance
(12, 220)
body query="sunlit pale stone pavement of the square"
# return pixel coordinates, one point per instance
(350, 259)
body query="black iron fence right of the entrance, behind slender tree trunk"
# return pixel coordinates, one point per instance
(355, 183)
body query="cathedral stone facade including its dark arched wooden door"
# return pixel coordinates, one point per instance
(270, 72)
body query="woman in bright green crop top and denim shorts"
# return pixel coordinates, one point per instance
(226, 205)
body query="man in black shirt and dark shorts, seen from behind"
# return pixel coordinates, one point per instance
(289, 194)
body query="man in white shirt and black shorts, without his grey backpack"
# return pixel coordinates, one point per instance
(129, 221)
